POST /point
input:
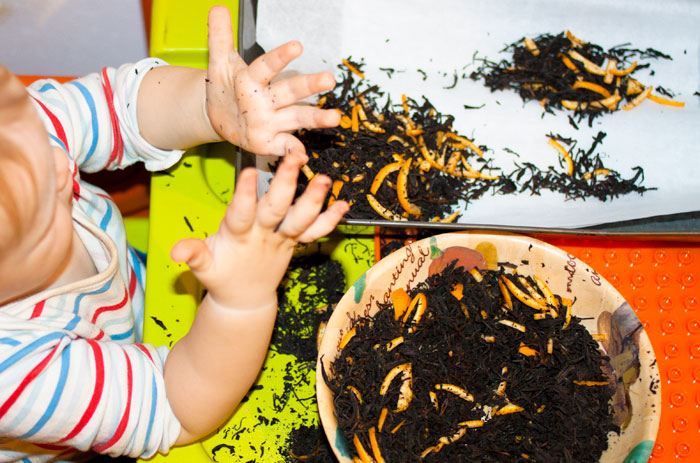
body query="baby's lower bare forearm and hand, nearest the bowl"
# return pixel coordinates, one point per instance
(211, 368)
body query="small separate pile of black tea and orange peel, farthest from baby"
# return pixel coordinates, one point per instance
(564, 72)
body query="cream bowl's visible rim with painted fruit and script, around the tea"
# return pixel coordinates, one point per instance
(636, 401)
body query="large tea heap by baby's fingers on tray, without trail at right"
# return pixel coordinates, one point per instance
(396, 162)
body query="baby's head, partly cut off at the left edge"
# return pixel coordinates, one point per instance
(36, 229)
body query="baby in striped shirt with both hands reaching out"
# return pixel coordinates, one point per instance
(74, 374)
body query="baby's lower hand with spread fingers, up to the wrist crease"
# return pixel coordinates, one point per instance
(242, 264)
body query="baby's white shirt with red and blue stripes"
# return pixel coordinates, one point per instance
(74, 373)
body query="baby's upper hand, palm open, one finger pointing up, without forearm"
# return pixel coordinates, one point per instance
(246, 109)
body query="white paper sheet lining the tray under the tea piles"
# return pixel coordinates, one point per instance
(441, 38)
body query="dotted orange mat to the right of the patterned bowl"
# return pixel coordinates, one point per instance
(659, 279)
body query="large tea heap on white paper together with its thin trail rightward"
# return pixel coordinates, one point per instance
(405, 161)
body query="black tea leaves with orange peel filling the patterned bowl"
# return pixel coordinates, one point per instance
(485, 366)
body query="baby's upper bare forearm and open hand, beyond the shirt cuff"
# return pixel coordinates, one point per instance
(180, 107)
